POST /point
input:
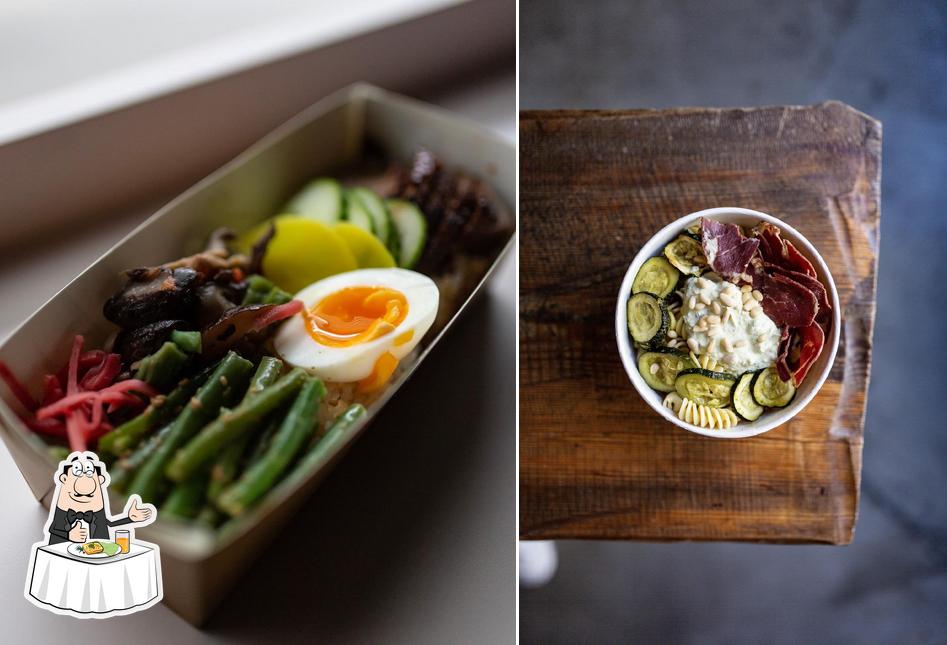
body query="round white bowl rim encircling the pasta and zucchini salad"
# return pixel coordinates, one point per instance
(817, 374)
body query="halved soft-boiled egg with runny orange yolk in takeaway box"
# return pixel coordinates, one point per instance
(356, 326)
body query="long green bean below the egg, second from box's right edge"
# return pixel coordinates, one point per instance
(287, 443)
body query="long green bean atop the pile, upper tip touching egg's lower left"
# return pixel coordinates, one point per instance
(228, 427)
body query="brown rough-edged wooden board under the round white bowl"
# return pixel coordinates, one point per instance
(595, 460)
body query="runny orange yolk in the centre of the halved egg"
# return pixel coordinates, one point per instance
(355, 315)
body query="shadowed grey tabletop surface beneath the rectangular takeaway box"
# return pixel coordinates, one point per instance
(409, 540)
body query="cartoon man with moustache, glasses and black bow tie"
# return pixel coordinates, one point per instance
(81, 495)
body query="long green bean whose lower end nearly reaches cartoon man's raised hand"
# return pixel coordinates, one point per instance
(230, 376)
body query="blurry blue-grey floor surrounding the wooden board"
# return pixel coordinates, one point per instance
(888, 59)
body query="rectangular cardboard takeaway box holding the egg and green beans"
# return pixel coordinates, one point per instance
(198, 565)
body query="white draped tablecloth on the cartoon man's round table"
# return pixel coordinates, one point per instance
(87, 585)
